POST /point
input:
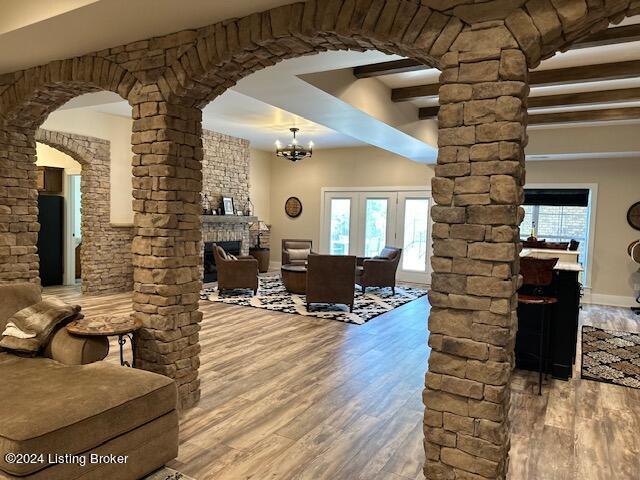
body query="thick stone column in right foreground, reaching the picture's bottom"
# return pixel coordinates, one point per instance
(478, 190)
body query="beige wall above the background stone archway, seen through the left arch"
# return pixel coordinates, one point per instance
(108, 127)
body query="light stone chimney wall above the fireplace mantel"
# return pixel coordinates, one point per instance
(225, 169)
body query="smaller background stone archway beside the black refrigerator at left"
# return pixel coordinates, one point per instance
(106, 249)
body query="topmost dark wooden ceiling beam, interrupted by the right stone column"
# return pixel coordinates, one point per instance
(610, 36)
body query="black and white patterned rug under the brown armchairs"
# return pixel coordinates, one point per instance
(273, 296)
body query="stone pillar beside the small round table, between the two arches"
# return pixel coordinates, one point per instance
(166, 247)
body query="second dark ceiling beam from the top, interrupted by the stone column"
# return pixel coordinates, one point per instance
(558, 76)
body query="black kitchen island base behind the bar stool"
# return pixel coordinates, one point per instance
(563, 327)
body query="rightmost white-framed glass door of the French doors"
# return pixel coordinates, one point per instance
(413, 236)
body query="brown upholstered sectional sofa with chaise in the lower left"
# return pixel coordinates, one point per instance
(72, 416)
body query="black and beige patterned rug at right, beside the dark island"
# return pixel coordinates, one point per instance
(611, 357)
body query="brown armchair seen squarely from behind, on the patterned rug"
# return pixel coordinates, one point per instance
(331, 279)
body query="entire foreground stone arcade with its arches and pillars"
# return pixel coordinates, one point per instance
(480, 47)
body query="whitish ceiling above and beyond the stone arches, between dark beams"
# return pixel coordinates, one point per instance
(297, 92)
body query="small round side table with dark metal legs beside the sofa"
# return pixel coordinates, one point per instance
(122, 326)
